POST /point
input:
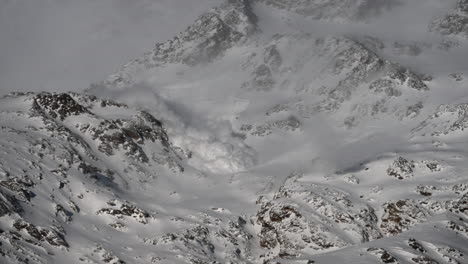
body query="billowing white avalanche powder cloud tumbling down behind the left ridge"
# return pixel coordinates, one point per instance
(214, 146)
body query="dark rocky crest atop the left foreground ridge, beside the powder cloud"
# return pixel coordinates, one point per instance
(111, 135)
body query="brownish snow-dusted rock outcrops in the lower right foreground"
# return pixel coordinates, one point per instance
(328, 219)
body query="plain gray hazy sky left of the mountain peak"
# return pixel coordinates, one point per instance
(67, 44)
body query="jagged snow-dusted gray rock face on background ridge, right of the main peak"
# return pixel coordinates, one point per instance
(353, 67)
